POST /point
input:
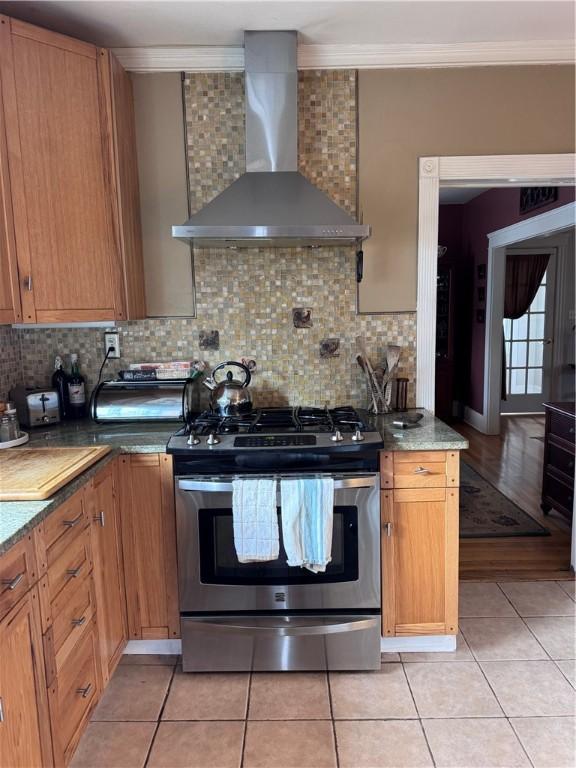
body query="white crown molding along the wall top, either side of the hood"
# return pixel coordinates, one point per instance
(353, 56)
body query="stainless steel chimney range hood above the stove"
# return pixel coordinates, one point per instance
(272, 203)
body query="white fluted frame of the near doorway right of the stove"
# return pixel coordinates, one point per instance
(465, 171)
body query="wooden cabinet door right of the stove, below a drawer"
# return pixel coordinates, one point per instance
(420, 561)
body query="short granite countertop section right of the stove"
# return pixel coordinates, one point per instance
(430, 434)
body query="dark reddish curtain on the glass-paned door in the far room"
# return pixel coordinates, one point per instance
(524, 273)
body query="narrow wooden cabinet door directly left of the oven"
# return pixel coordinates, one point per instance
(149, 544)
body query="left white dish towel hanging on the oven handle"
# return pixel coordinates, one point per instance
(255, 519)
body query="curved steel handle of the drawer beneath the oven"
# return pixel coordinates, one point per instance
(271, 627)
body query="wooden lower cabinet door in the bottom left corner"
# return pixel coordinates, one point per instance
(24, 723)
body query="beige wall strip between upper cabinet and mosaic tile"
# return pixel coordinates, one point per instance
(161, 149)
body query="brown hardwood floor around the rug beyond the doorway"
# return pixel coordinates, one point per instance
(512, 462)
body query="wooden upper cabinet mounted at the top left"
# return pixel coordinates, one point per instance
(73, 181)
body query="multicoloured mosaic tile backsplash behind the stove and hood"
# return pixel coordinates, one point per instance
(246, 299)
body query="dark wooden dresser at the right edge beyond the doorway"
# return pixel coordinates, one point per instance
(558, 473)
